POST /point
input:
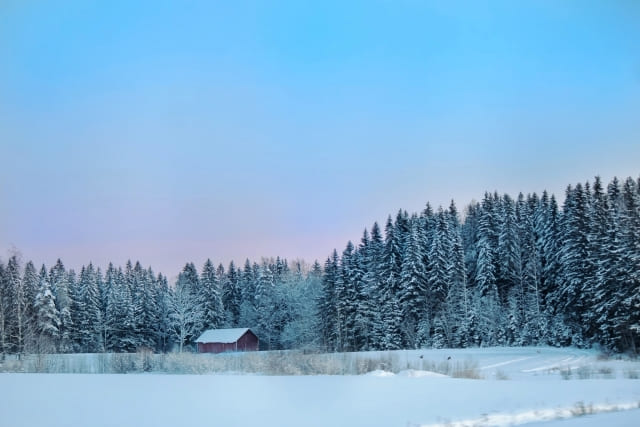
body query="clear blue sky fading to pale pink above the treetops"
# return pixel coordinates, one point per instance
(169, 132)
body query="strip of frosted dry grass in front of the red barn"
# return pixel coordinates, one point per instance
(266, 363)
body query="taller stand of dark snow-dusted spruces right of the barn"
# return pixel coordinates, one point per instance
(514, 272)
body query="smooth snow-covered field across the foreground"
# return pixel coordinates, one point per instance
(519, 386)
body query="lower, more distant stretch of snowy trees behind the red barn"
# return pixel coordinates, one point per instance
(123, 310)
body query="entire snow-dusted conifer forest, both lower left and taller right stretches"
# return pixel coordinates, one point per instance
(506, 271)
